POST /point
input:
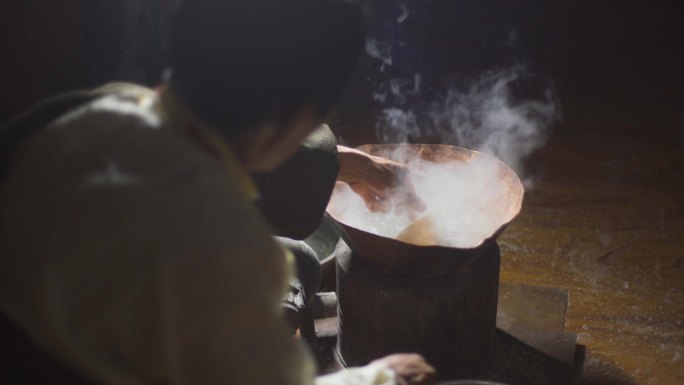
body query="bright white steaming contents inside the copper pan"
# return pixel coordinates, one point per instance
(464, 203)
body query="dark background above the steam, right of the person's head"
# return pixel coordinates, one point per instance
(592, 52)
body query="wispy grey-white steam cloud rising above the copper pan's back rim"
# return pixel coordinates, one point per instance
(485, 115)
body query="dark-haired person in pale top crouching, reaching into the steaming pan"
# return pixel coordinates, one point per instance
(132, 252)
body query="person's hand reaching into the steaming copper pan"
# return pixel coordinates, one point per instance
(379, 181)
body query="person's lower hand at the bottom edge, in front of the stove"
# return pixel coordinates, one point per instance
(410, 369)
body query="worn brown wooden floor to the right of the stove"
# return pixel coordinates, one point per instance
(605, 220)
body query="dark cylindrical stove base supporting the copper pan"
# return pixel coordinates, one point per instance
(450, 319)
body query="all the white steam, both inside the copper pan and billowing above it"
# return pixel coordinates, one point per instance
(464, 199)
